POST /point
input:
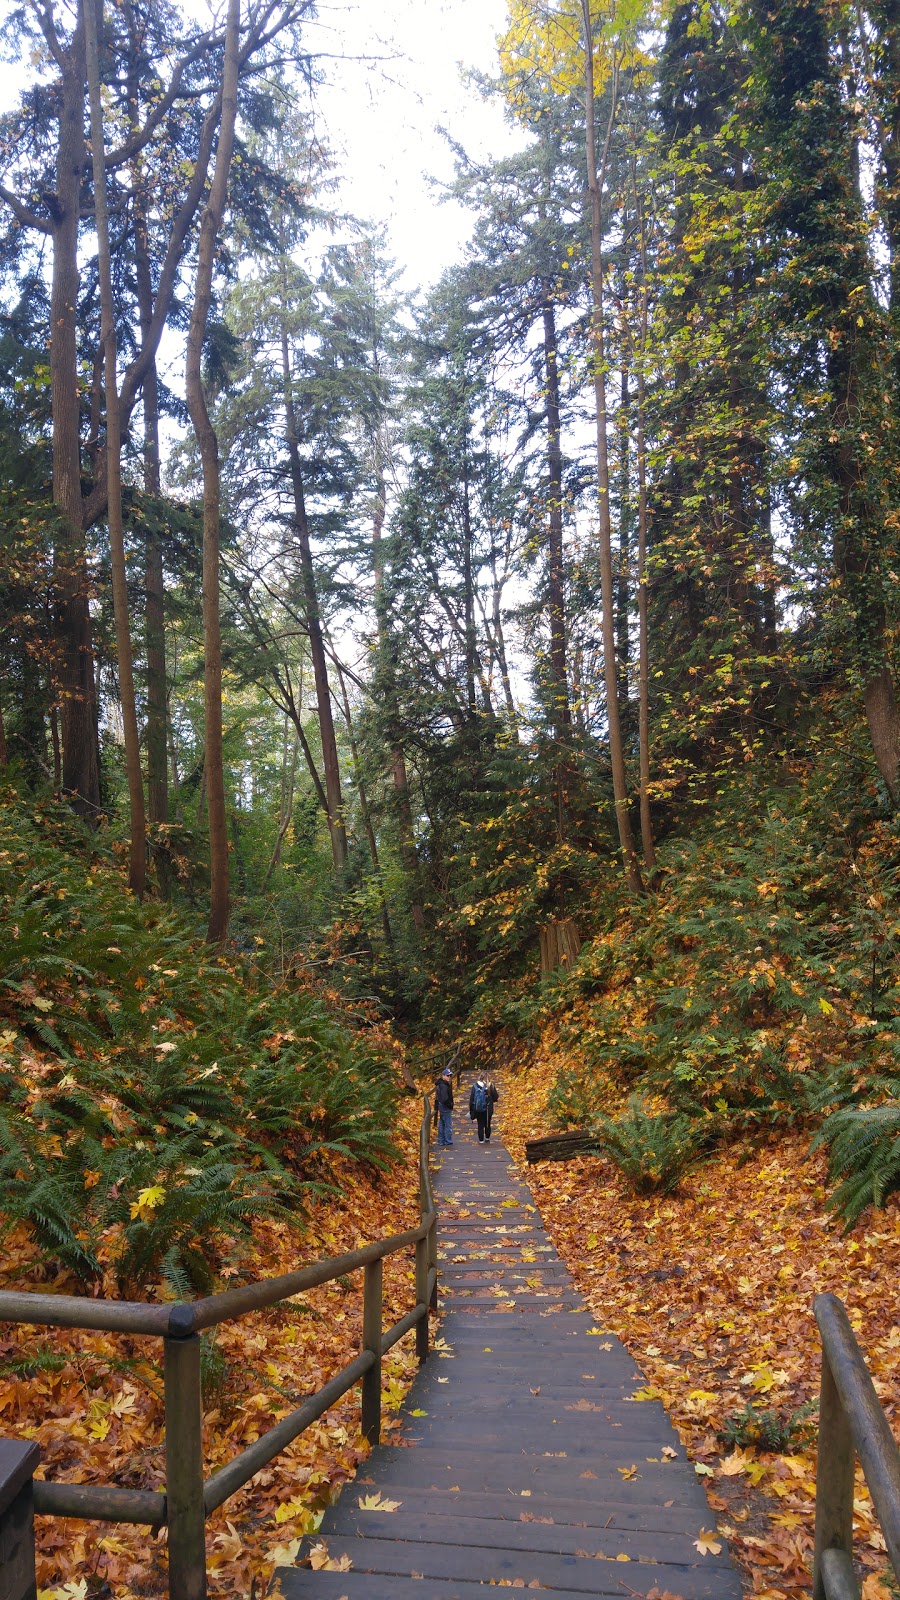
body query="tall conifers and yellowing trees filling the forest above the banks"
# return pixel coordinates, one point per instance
(430, 638)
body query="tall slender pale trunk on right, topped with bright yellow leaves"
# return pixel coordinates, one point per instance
(611, 678)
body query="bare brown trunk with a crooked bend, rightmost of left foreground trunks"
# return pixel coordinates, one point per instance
(207, 441)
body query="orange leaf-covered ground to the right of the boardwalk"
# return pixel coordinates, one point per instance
(712, 1290)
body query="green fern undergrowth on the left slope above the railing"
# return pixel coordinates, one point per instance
(156, 1097)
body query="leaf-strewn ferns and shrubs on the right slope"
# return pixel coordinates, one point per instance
(755, 991)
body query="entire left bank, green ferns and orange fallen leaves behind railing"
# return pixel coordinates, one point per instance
(174, 1122)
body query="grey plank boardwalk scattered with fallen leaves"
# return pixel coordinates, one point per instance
(524, 1460)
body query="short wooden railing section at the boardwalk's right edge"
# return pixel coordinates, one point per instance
(851, 1425)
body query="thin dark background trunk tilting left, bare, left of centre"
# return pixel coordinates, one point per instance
(334, 798)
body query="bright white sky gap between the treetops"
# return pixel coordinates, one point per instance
(382, 116)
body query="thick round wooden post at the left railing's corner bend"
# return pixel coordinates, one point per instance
(185, 1471)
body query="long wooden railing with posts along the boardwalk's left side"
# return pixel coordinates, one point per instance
(188, 1498)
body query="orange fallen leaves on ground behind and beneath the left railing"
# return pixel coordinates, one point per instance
(94, 1402)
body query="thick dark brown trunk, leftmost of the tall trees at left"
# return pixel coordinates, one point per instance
(78, 702)
